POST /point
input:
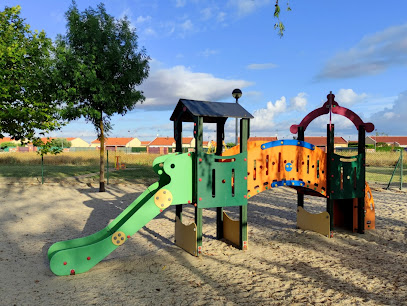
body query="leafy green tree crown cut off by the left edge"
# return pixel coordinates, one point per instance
(26, 90)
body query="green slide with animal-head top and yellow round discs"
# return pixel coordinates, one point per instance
(174, 187)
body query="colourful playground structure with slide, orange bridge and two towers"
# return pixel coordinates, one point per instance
(230, 178)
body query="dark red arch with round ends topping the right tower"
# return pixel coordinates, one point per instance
(336, 109)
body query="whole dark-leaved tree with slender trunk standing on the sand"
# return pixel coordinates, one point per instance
(99, 68)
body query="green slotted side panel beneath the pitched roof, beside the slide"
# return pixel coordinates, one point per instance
(214, 180)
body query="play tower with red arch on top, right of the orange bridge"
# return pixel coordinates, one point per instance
(348, 196)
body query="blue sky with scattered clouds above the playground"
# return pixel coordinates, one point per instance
(202, 50)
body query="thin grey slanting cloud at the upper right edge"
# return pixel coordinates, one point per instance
(372, 55)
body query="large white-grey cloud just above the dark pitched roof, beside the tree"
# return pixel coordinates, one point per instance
(165, 87)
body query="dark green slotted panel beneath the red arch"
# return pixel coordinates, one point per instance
(347, 177)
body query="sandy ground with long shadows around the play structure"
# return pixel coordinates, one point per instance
(283, 265)
